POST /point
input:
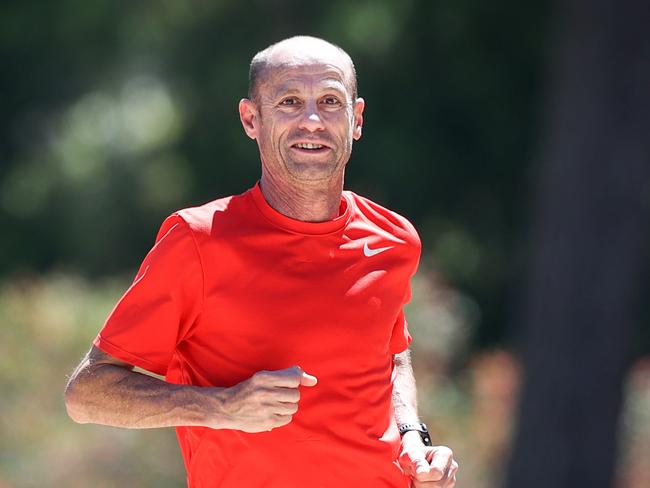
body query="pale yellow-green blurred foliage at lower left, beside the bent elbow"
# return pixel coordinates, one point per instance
(47, 324)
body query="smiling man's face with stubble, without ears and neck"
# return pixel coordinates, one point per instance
(317, 84)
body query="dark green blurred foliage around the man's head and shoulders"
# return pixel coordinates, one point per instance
(118, 113)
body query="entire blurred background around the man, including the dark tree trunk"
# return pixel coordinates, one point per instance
(514, 135)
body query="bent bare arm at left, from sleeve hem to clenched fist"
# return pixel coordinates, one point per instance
(105, 390)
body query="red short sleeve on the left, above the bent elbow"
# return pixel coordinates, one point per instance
(161, 305)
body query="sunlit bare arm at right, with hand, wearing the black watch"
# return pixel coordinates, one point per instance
(428, 466)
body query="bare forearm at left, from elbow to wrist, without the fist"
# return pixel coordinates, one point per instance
(115, 395)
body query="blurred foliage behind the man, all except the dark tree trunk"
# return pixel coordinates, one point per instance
(116, 113)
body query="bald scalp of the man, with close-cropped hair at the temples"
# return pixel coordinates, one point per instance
(299, 51)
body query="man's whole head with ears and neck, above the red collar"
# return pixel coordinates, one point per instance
(304, 115)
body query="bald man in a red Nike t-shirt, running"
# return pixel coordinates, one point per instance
(276, 316)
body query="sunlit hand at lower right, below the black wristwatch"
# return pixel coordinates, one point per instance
(428, 466)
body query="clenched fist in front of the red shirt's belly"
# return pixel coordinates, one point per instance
(266, 400)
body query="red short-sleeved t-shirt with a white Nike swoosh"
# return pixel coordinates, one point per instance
(234, 287)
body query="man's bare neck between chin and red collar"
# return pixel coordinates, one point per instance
(312, 202)
